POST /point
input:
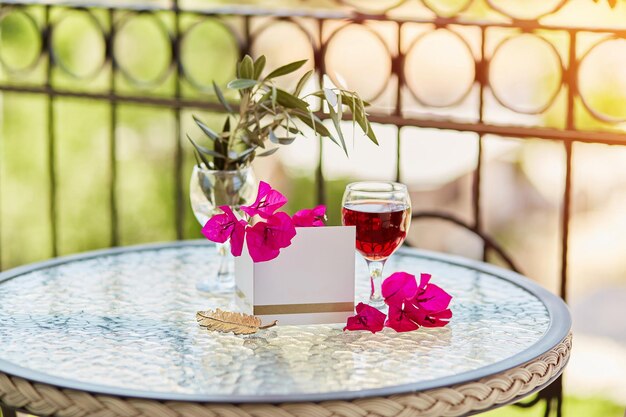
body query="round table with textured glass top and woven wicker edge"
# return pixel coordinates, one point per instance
(114, 333)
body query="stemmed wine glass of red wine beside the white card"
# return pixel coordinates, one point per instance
(381, 212)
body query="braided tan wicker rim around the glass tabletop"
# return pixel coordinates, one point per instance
(462, 399)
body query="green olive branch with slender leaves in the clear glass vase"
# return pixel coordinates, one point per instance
(269, 116)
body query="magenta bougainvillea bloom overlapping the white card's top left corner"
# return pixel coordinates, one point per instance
(265, 239)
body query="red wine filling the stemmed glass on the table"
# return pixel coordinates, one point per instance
(381, 226)
